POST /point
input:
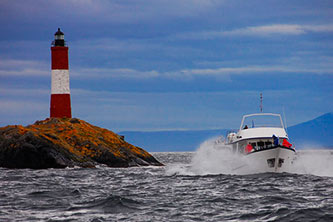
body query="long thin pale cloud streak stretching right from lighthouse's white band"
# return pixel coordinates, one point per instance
(222, 73)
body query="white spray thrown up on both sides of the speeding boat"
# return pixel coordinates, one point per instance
(214, 158)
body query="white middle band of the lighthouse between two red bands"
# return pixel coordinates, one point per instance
(60, 81)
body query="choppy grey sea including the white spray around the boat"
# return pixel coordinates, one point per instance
(197, 186)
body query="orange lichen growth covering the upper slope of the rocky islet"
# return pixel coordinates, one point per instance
(80, 137)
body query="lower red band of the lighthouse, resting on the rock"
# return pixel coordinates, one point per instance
(60, 106)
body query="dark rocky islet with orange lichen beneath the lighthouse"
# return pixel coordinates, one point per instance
(60, 143)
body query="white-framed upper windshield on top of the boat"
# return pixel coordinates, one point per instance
(261, 120)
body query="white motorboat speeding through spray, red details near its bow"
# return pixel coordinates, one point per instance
(263, 141)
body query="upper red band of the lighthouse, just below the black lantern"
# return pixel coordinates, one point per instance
(59, 57)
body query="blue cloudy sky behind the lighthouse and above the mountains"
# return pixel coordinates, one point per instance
(169, 64)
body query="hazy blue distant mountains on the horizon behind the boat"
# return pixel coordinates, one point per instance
(316, 133)
